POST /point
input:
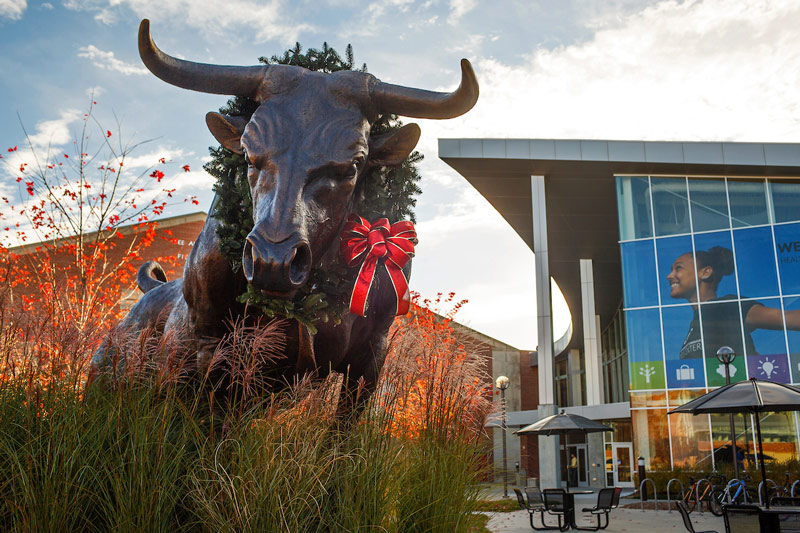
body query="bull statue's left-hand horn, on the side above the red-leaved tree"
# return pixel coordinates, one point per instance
(214, 79)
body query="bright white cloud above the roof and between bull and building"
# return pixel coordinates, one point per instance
(712, 70)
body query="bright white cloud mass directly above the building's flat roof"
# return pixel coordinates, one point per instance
(712, 70)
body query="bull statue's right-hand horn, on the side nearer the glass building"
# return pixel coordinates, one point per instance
(418, 103)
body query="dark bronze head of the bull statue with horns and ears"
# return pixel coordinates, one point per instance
(306, 146)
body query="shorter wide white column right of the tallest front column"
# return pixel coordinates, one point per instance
(591, 337)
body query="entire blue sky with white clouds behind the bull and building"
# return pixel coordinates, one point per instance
(712, 70)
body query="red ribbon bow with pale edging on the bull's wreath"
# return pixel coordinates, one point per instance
(370, 244)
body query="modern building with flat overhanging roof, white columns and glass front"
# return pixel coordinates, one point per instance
(664, 252)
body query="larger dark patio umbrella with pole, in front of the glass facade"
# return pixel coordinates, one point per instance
(751, 396)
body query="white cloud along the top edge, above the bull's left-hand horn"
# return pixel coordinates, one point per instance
(265, 17)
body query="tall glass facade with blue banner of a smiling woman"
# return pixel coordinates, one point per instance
(707, 262)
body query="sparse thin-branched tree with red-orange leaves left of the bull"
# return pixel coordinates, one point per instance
(69, 237)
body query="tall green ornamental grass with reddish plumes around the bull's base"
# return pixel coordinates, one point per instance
(153, 450)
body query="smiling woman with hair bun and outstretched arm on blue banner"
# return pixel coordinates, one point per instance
(697, 282)
